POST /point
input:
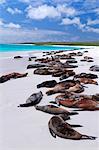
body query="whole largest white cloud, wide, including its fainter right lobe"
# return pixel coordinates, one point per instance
(44, 11)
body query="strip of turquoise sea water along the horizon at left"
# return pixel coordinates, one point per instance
(22, 47)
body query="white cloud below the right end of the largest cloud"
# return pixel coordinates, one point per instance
(74, 21)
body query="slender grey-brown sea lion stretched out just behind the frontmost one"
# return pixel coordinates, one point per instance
(51, 109)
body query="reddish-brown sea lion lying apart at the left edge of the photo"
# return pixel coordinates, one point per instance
(13, 75)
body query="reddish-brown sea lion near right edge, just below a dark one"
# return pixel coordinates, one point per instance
(87, 80)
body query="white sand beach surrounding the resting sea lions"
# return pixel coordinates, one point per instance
(27, 128)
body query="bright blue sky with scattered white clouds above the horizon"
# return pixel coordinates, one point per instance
(49, 20)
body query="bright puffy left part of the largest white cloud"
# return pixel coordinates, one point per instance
(41, 12)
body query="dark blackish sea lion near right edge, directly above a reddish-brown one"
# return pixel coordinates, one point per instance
(86, 75)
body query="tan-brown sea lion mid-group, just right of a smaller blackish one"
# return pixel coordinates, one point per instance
(61, 87)
